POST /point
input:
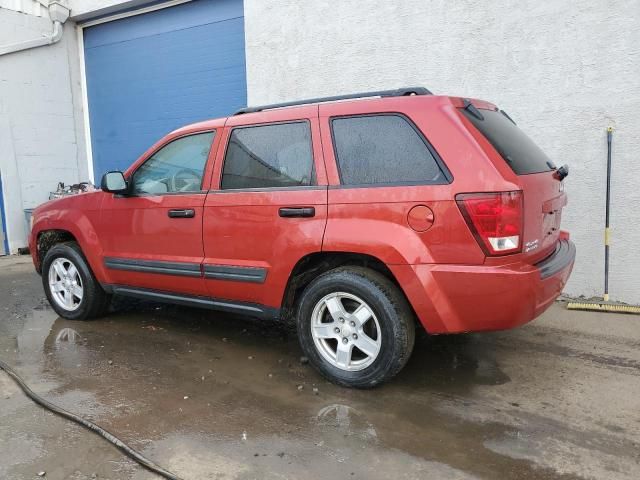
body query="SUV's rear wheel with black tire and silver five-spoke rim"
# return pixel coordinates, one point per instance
(355, 326)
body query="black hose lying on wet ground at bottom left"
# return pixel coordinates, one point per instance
(130, 452)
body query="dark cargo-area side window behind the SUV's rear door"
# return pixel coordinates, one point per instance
(379, 149)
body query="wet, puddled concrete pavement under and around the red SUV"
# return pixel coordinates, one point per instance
(208, 395)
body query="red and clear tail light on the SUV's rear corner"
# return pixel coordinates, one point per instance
(495, 220)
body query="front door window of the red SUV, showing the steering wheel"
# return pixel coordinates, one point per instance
(176, 167)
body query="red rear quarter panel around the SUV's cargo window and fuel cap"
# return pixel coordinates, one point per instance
(373, 220)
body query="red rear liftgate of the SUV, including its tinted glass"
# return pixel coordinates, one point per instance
(542, 188)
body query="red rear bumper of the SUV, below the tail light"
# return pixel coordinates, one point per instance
(463, 298)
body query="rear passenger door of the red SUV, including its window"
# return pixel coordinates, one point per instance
(267, 207)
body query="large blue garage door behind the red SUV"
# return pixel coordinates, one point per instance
(151, 73)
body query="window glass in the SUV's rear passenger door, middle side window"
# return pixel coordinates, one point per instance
(268, 156)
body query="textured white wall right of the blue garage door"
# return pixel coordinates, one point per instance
(563, 70)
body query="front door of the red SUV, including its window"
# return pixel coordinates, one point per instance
(152, 237)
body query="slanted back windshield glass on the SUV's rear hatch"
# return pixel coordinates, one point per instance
(519, 151)
